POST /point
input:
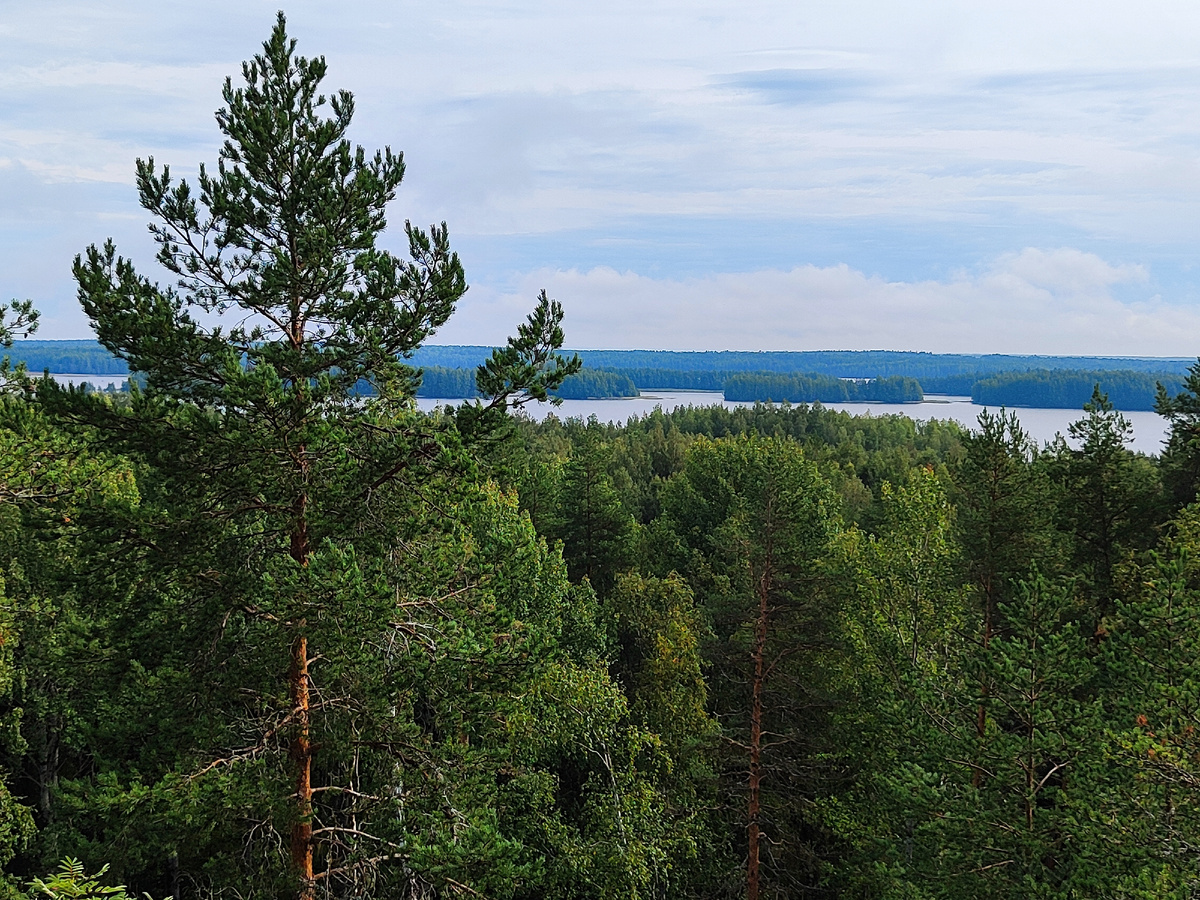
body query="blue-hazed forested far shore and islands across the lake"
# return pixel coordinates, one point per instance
(1048, 382)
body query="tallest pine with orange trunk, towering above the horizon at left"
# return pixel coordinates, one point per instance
(263, 449)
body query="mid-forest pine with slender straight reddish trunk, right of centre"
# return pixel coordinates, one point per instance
(755, 520)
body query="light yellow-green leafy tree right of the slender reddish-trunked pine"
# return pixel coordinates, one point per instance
(905, 615)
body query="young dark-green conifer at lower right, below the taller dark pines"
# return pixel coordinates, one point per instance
(1013, 808)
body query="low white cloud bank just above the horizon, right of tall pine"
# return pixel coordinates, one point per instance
(1058, 302)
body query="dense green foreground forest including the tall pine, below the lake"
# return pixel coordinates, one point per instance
(267, 635)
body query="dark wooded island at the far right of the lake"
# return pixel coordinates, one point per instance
(1071, 389)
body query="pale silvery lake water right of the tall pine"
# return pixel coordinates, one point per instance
(1149, 429)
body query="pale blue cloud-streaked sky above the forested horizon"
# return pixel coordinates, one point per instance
(1007, 177)
